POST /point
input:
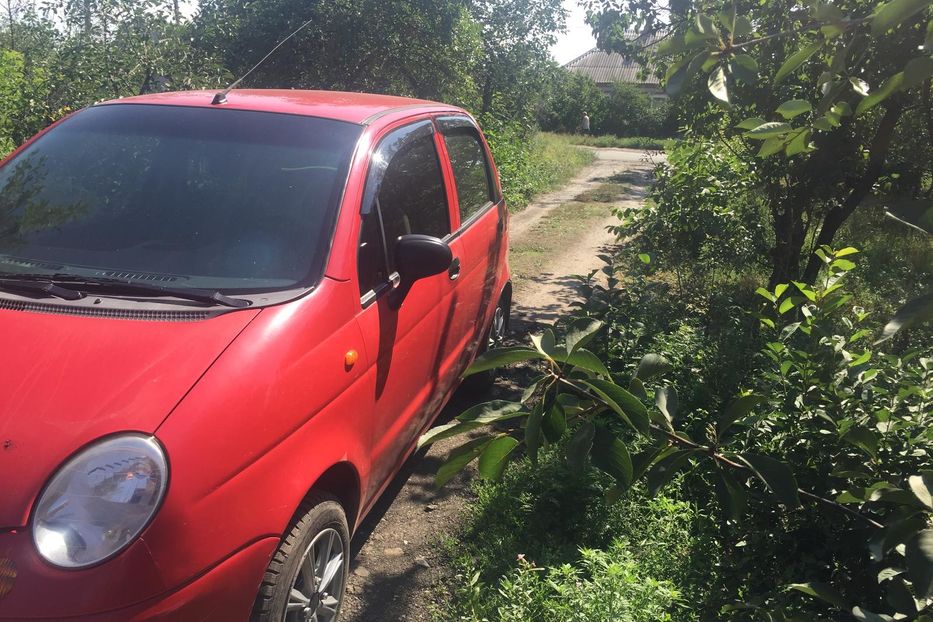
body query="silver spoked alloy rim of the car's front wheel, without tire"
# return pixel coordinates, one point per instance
(317, 591)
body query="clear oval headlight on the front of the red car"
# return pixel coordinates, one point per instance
(100, 501)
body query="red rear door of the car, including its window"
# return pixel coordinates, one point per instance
(479, 241)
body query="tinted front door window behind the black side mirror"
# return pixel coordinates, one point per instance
(405, 194)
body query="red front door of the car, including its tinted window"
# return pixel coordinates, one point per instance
(404, 335)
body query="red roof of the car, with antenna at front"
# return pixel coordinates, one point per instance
(360, 108)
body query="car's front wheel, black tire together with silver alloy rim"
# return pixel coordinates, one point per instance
(306, 579)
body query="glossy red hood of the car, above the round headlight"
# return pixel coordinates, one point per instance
(68, 380)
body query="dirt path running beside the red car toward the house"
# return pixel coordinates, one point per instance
(397, 568)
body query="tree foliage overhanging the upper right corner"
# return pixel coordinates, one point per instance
(818, 90)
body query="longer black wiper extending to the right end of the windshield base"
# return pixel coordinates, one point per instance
(78, 286)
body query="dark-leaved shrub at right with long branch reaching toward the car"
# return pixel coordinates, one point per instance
(822, 476)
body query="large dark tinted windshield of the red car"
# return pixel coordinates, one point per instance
(193, 197)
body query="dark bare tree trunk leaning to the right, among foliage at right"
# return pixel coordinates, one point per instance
(861, 186)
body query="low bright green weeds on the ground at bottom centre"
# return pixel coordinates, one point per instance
(520, 550)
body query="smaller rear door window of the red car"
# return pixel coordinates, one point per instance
(471, 170)
